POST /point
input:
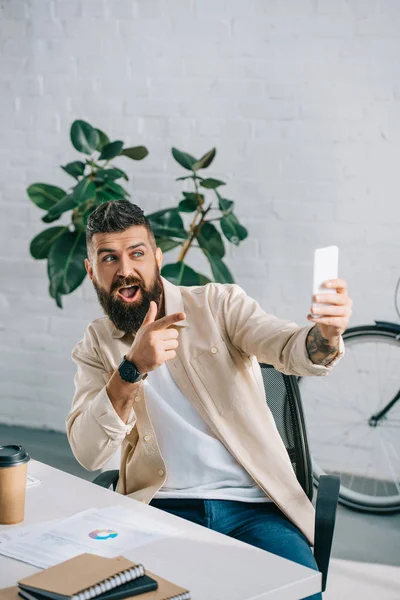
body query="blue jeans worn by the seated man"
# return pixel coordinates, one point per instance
(260, 524)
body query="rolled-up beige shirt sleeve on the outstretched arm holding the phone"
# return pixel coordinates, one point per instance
(273, 341)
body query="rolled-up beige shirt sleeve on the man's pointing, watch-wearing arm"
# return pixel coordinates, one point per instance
(94, 428)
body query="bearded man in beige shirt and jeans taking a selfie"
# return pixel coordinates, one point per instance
(171, 377)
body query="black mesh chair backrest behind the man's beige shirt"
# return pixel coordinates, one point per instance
(283, 398)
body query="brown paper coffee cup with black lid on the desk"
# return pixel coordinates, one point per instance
(13, 467)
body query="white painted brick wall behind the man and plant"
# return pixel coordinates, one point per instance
(301, 98)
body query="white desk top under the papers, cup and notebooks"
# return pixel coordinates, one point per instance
(211, 565)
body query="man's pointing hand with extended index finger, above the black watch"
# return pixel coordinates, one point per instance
(156, 341)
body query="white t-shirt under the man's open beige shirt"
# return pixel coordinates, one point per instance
(198, 464)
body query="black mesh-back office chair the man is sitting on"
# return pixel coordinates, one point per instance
(284, 400)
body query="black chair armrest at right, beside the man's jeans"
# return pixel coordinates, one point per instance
(325, 517)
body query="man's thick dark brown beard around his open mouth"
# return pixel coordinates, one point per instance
(126, 316)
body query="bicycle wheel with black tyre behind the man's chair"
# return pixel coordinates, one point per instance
(344, 437)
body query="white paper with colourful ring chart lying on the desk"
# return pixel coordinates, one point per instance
(107, 532)
